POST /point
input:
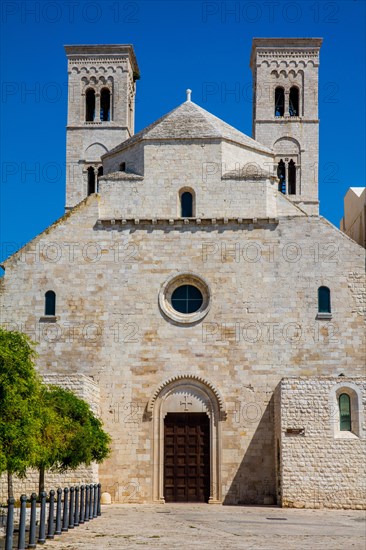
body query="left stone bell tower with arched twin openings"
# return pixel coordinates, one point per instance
(101, 111)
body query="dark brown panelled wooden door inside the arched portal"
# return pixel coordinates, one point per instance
(186, 457)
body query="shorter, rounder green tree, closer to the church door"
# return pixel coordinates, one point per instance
(71, 434)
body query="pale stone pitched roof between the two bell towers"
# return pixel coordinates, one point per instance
(190, 121)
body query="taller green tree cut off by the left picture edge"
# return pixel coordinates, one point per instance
(19, 405)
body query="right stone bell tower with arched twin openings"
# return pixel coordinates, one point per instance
(285, 112)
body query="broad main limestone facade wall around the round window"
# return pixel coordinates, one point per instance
(262, 326)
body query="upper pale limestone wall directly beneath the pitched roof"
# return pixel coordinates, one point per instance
(192, 165)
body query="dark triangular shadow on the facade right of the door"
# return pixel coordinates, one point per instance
(255, 480)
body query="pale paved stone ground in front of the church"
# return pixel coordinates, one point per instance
(213, 527)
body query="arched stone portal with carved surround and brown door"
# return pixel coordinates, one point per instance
(186, 410)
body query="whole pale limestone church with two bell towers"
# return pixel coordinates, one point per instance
(195, 297)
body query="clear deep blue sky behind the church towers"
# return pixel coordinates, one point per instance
(179, 45)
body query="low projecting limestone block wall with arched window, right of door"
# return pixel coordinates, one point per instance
(322, 466)
